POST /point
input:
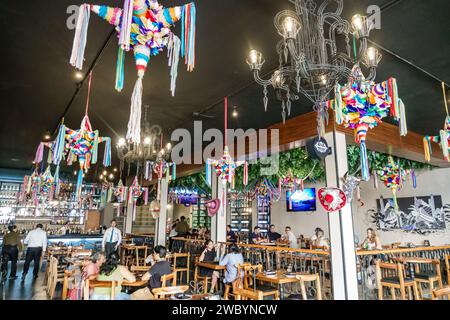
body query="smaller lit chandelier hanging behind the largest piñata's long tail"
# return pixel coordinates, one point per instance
(149, 149)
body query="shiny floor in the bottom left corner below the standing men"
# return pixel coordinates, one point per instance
(30, 289)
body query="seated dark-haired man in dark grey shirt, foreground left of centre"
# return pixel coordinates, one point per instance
(160, 267)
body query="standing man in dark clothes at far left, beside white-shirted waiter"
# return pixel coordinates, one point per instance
(12, 244)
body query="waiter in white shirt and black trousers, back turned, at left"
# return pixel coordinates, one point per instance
(36, 241)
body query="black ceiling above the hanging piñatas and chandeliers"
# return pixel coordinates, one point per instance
(37, 81)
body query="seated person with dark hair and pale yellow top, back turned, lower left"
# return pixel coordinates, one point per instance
(112, 271)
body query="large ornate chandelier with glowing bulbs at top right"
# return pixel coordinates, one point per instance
(315, 53)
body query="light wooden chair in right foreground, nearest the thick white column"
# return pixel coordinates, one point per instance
(392, 275)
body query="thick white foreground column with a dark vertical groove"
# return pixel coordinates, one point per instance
(343, 255)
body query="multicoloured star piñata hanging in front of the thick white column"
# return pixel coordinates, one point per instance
(361, 105)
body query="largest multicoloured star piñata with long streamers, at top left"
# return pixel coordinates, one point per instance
(144, 26)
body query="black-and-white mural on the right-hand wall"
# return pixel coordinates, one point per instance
(421, 215)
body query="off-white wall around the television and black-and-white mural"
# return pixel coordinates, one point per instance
(436, 182)
